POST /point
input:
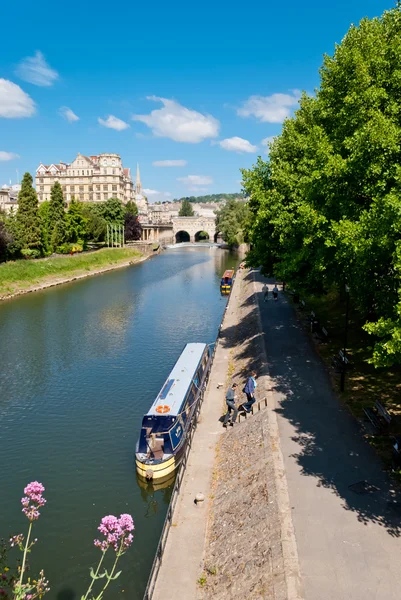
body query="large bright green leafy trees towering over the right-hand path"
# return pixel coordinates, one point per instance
(326, 205)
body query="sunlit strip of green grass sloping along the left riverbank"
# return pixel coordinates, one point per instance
(24, 274)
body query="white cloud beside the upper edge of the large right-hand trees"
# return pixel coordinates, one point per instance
(270, 109)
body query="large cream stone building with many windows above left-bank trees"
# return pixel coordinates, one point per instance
(87, 179)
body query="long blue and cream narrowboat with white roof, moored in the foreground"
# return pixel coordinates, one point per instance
(165, 426)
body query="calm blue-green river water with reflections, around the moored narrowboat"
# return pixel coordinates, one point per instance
(79, 366)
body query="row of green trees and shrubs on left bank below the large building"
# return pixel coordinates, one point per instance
(40, 230)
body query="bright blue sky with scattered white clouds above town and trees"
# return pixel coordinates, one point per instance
(202, 84)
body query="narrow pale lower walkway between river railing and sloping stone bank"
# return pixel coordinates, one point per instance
(183, 554)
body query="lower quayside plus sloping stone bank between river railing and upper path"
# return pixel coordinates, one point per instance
(240, 473)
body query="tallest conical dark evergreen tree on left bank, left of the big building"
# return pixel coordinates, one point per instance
(28, 233)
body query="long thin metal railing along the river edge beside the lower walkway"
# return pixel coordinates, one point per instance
(150, 588)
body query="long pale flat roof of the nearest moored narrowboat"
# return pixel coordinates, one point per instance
(177, 383)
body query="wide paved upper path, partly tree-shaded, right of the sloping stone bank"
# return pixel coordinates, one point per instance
(345, 512)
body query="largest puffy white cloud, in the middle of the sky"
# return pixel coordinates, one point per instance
(178, 123)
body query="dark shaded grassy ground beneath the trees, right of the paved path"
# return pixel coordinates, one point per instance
(364, 383)
